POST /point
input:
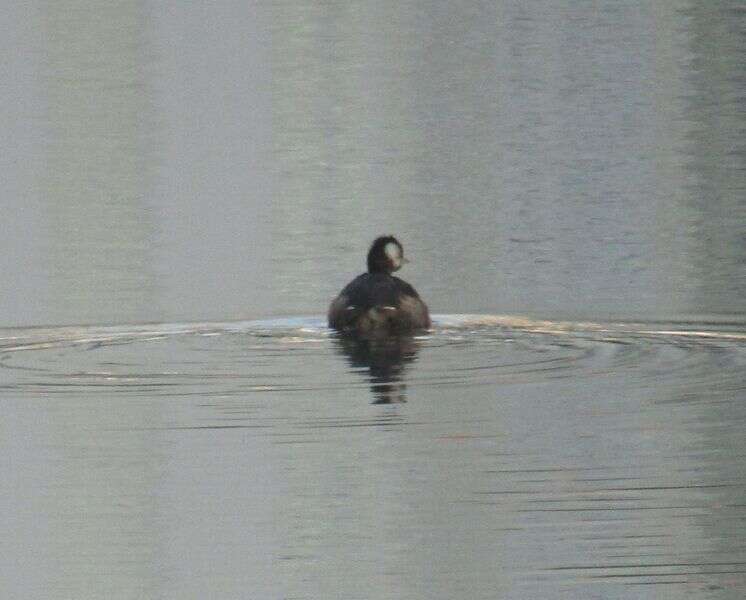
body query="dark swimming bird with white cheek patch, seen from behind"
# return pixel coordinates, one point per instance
(377, 301)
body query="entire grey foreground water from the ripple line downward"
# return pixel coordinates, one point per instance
(530, 458)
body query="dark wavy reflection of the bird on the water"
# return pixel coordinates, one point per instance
(386, 358)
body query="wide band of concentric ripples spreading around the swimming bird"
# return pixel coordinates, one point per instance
(298, 354)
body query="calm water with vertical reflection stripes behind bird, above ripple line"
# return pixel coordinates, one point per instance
(552, 161)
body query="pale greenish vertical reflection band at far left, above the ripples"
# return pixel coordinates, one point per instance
(99, 167)
